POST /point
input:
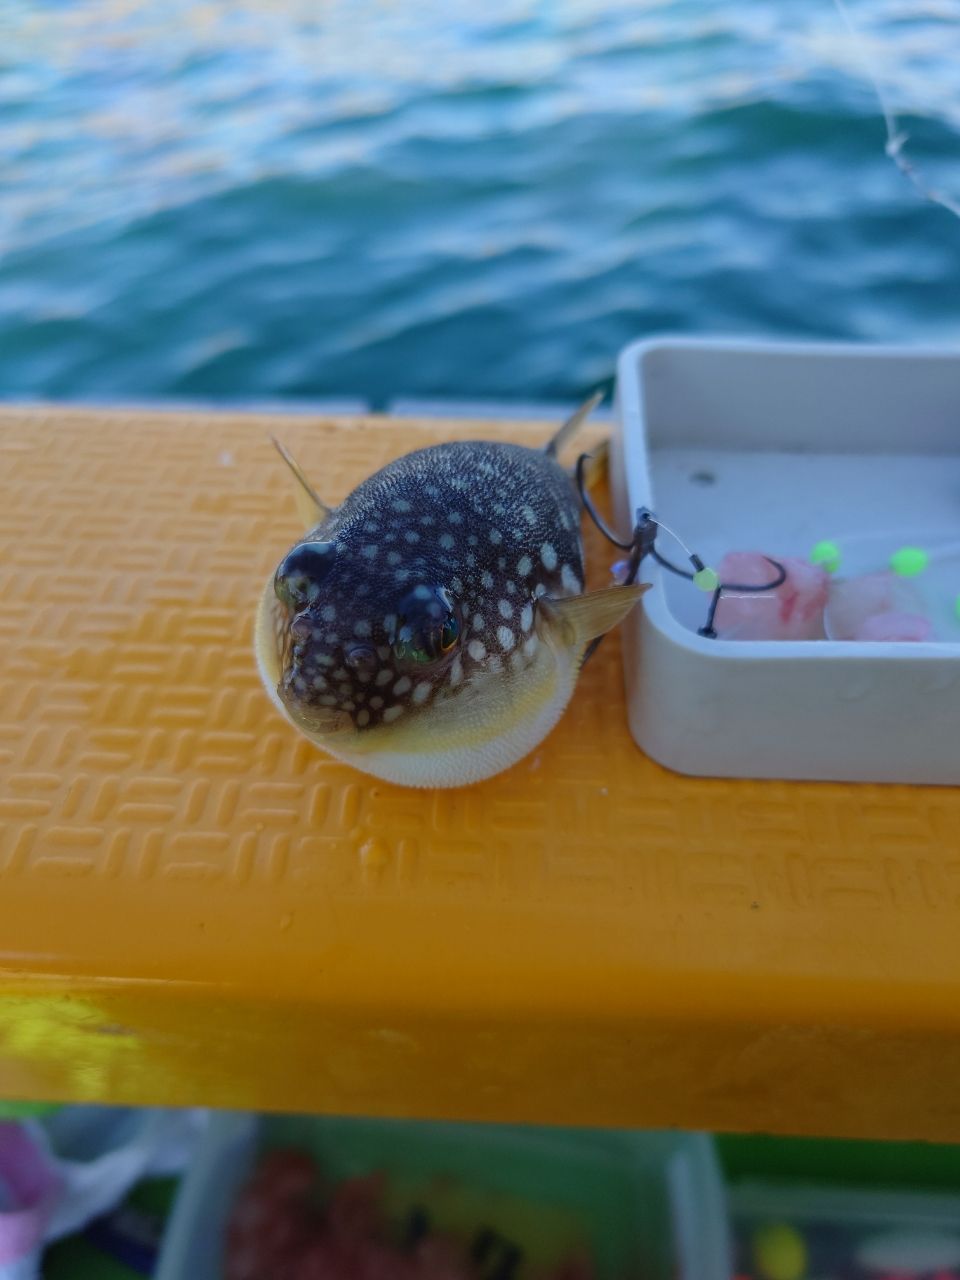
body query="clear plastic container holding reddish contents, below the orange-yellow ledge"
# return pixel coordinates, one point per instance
(647, 1206)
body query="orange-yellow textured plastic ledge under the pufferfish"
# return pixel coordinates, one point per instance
(198, 907)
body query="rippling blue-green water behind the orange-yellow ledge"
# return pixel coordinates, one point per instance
(298, 199)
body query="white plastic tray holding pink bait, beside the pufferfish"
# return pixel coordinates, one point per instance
(751, 446)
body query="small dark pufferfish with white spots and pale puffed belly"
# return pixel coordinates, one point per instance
(431, 629)
